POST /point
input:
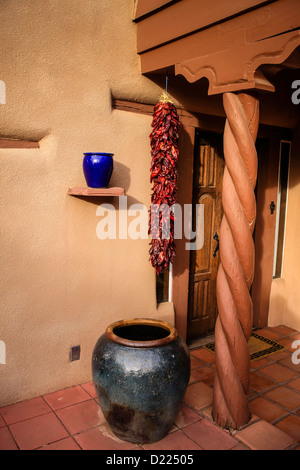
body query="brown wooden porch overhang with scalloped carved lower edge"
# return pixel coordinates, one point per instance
(226, 44)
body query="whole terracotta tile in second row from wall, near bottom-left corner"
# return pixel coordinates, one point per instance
(38, 431)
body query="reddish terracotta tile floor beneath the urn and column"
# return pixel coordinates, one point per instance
(71, 419)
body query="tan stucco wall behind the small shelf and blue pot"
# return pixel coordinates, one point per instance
(61, 285)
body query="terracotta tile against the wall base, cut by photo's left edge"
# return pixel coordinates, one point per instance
(24, 410)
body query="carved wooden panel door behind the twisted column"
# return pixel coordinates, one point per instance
(207, 187)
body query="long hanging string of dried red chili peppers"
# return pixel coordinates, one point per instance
(164, 175)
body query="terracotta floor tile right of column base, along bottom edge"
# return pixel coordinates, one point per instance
(263, 436)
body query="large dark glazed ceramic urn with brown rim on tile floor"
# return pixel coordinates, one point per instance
(141, 369)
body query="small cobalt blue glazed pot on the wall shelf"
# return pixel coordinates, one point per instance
(97, 169)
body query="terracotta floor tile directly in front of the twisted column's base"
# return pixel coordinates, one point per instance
(209, 436)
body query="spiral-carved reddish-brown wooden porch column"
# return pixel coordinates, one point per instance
(236, 269)
